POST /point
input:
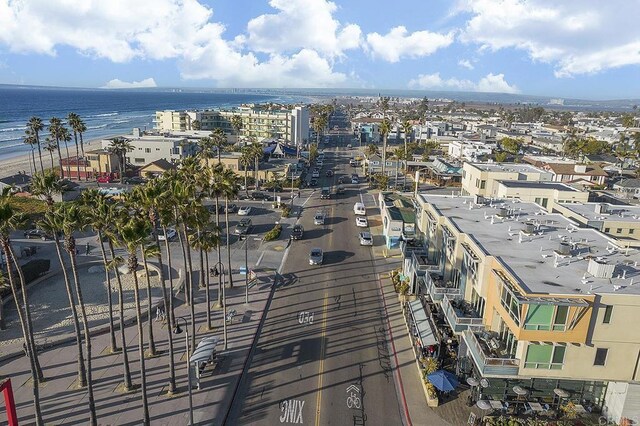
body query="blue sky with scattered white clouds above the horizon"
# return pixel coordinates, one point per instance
(573, 48)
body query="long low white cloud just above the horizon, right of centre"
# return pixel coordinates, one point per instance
(489, 83)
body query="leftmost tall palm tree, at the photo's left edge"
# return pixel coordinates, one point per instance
(10, 220)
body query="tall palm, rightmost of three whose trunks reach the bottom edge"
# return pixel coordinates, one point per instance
(133, 231)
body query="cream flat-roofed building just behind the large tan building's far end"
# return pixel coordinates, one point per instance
(483, 178)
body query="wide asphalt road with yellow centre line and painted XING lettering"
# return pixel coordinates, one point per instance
(322, 355)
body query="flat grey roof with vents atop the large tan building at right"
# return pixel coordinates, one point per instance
(532, 259)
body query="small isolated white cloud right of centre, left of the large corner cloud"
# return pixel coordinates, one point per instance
(398, 43)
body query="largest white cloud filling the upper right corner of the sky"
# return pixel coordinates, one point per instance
(576, 36)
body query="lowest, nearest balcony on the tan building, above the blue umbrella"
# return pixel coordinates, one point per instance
(486, 349)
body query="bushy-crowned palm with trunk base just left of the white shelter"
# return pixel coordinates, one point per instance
(154, 199)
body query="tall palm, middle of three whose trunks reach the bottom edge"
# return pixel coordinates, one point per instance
(73, 219)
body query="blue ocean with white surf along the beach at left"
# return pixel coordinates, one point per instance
(106, 112)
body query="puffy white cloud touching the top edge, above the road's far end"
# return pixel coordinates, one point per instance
(302, 24)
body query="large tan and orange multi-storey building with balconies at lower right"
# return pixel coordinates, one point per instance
(538, 306)
